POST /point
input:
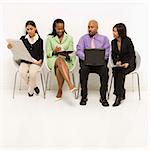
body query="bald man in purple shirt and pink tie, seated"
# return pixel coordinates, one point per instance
(93, 40)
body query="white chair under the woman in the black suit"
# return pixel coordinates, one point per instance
(135, 72)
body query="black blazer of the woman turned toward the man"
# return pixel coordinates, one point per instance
(126, 54)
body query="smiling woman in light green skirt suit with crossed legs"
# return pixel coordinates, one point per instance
(57, 41)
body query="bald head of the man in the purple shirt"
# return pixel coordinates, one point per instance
(92, 27)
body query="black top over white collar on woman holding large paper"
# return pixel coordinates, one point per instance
(36, 49)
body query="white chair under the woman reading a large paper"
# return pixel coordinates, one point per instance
(16, 74)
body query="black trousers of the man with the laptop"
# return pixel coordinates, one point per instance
(84, 72)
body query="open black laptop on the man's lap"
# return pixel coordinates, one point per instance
(94, 57)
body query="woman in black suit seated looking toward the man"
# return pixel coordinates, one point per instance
(123, 56)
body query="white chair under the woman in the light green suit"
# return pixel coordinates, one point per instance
(50, 72)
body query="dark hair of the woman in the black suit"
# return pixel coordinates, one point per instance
(121, 28)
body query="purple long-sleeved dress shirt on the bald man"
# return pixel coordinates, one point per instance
(101, 41)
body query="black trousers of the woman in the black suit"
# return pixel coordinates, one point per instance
(119, 79)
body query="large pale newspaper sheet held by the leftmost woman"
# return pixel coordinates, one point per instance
(19, 50)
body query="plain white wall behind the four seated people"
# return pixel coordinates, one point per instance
(76, 17)
